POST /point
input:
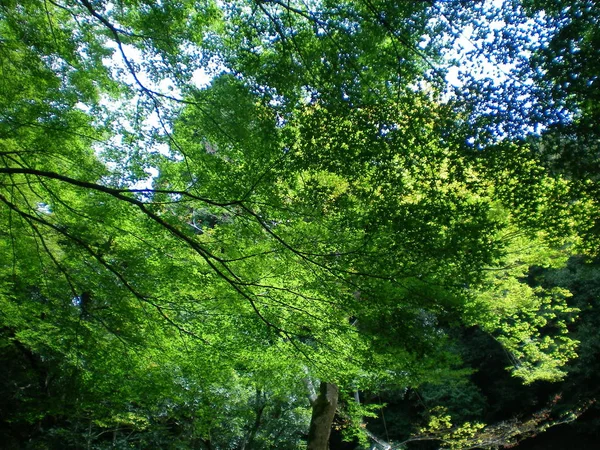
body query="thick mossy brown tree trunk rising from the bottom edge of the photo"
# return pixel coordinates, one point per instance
(322, 417)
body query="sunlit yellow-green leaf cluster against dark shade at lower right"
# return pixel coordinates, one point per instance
(529, 322)
